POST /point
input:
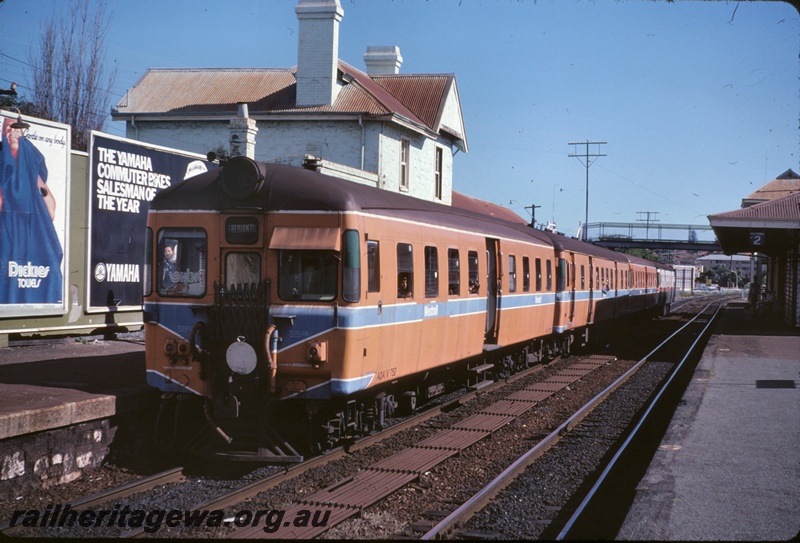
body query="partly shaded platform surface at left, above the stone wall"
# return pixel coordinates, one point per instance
(52, 384)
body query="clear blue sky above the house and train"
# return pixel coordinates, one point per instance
(699, 101)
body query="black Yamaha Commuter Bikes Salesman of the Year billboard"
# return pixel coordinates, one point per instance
(125, 175)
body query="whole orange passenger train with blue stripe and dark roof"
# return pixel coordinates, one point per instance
(292, 310)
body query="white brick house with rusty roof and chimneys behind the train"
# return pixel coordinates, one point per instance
(393, 131)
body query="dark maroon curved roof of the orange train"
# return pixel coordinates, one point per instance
(289, 188)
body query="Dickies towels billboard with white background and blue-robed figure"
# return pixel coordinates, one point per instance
(34, 192)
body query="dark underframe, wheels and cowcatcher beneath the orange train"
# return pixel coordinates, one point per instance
(243, 422)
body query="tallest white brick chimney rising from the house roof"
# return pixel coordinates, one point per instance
(318, 51)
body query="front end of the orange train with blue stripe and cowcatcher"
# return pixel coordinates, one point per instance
(242, 310)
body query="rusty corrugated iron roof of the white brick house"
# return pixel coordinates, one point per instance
(417, 101)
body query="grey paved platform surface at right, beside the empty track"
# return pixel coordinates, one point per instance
(728, 467)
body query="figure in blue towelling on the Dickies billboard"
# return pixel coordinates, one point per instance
(31, 253)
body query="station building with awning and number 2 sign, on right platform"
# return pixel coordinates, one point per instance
(768, 224)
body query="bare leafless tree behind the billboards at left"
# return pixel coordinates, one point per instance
(69, 77)
